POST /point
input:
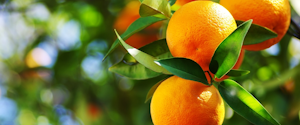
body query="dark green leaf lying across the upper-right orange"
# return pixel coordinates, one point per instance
(257, 34)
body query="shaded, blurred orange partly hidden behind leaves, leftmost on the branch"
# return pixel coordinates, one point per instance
(127, 16)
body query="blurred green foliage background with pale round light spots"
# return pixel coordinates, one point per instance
(52, 73)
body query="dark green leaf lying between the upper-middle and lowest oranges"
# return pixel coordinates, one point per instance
(184, 68)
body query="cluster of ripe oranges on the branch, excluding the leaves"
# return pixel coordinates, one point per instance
(195, 31)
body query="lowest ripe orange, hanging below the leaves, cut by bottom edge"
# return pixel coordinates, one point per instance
(178, 101)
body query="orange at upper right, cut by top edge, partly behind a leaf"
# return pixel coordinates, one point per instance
(273, 14)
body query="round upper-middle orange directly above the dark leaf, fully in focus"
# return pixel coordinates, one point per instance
(196, 30)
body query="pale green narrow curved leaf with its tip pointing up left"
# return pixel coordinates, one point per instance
(143, 58)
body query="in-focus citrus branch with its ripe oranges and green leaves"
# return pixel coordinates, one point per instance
(203, 43)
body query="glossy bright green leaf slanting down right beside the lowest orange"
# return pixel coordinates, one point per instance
(242, 102)
